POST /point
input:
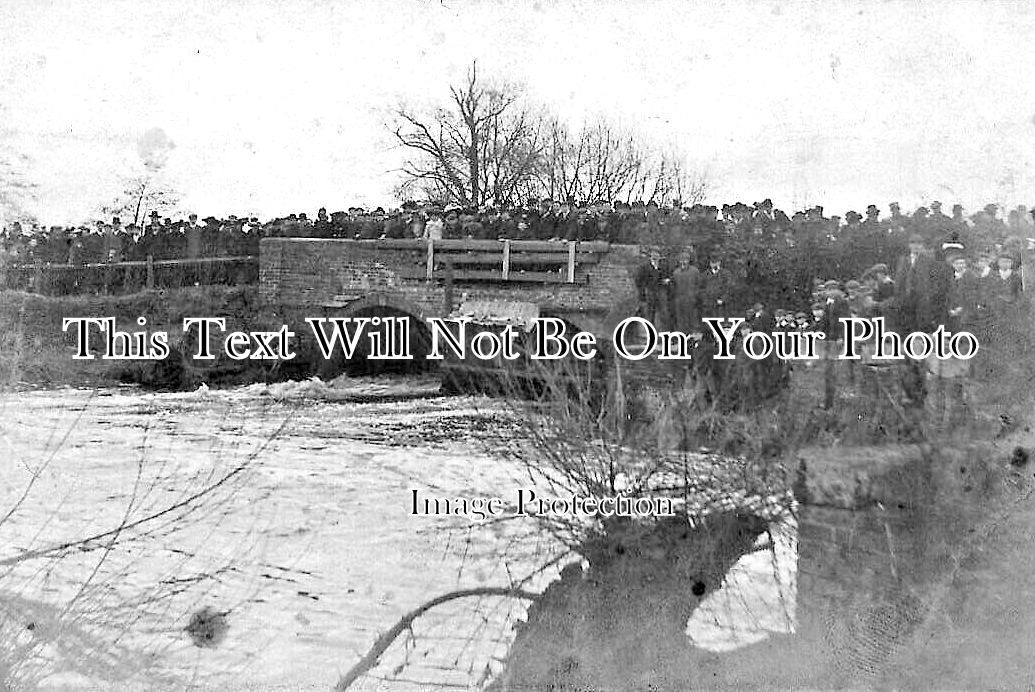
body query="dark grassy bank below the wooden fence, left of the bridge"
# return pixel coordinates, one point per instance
(36, 351)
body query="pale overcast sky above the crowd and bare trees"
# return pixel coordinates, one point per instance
(279, 107)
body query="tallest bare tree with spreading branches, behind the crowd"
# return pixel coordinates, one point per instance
(481, 149)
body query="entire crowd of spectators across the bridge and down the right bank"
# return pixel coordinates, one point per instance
(804, 272)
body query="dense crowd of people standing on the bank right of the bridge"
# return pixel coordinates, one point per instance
(916, 273)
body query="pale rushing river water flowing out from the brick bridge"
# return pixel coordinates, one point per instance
(285, 510)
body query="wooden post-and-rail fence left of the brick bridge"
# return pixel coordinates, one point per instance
(110, 278)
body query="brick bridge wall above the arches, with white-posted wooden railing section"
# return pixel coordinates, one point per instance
(590, 285)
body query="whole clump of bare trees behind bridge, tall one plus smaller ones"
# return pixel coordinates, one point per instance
(489, 147)
